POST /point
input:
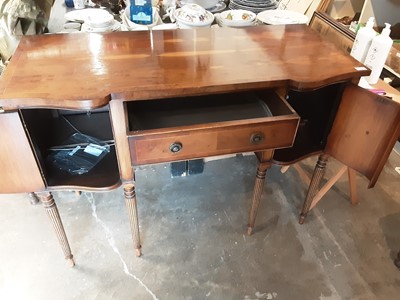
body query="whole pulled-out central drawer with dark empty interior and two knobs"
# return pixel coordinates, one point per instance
(168, 130)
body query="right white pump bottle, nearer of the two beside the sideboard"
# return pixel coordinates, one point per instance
(377, 54)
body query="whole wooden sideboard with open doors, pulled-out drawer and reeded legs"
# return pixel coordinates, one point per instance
(282, 92)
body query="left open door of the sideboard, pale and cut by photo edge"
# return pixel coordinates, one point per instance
(19, 170)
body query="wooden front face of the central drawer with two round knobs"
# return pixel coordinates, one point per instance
(199, 143)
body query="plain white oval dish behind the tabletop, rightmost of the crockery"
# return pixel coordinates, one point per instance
(281, 17)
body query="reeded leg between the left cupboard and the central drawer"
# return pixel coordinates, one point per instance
(130, 201)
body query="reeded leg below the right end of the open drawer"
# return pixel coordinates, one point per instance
(258, 188)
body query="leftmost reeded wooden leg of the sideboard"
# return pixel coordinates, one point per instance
(51, 209)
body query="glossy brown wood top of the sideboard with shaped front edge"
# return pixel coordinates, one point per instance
(87, 70)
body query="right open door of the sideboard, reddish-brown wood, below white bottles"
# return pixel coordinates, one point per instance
(364, 132)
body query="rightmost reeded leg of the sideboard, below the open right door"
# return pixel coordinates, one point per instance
(318, 174)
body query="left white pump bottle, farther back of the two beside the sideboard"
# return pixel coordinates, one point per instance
(363, 40)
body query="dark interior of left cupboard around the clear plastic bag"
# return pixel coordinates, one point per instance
(49, 129)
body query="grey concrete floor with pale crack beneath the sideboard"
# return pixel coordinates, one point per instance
(194, 242)
